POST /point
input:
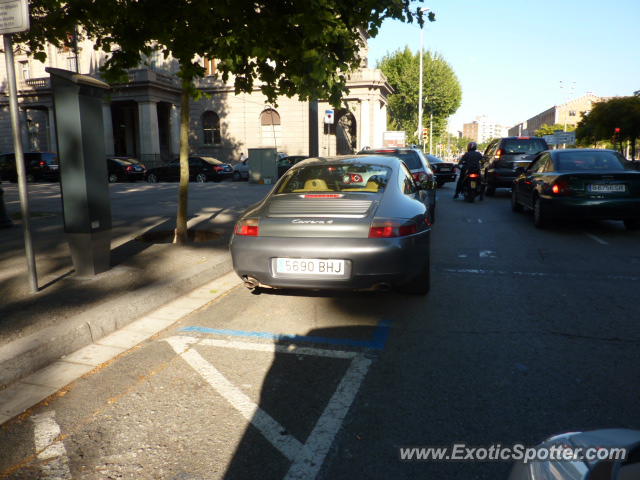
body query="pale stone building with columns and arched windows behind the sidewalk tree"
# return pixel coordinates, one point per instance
(141, 116)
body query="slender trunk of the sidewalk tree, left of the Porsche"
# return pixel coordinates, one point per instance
(183, 192)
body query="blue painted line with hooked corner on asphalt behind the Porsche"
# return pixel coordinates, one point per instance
(378, 342)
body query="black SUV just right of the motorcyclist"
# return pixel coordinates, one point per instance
(503, 155)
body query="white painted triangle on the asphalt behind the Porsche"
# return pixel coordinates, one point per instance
(306, 459)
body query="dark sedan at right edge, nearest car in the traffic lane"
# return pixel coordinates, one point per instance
(586, 183)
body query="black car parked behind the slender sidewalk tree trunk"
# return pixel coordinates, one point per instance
(201, 169)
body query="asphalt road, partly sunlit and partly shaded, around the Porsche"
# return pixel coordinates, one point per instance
(525, 333)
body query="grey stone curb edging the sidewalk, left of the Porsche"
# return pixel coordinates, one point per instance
(24, 356)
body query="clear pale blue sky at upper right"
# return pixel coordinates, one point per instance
(510, 56)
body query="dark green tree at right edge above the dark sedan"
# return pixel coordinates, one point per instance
(600, 124)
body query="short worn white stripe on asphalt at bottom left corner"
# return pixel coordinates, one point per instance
(55, 464)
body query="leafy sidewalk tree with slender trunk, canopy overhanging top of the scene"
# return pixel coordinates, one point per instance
(293, 47)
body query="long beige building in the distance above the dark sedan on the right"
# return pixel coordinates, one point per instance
(569, 114)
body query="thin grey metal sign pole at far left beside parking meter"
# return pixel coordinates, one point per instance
(17, 145)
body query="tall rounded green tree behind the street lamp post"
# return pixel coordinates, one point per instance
(442, 93)
